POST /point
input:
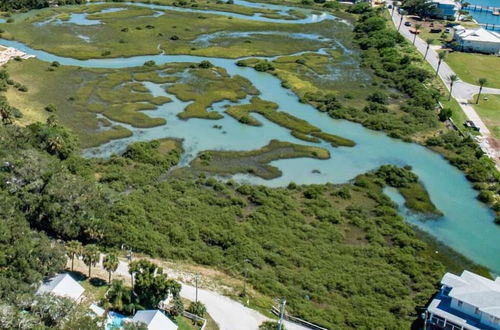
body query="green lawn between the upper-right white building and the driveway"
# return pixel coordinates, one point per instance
(470, 67)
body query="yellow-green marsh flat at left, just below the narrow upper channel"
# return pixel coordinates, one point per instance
(78, 94)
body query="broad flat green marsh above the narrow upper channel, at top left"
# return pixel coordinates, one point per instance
(136, 31)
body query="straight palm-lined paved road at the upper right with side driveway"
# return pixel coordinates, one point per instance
(462, 91)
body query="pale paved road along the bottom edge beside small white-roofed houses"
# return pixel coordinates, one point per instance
(227, 313)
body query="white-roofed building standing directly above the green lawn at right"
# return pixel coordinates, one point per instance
(477, 40)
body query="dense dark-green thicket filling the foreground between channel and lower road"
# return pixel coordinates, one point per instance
(314, 231)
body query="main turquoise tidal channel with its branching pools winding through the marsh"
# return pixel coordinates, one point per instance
(467, 225)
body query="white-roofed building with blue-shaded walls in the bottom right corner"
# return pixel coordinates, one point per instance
(468, 301)
